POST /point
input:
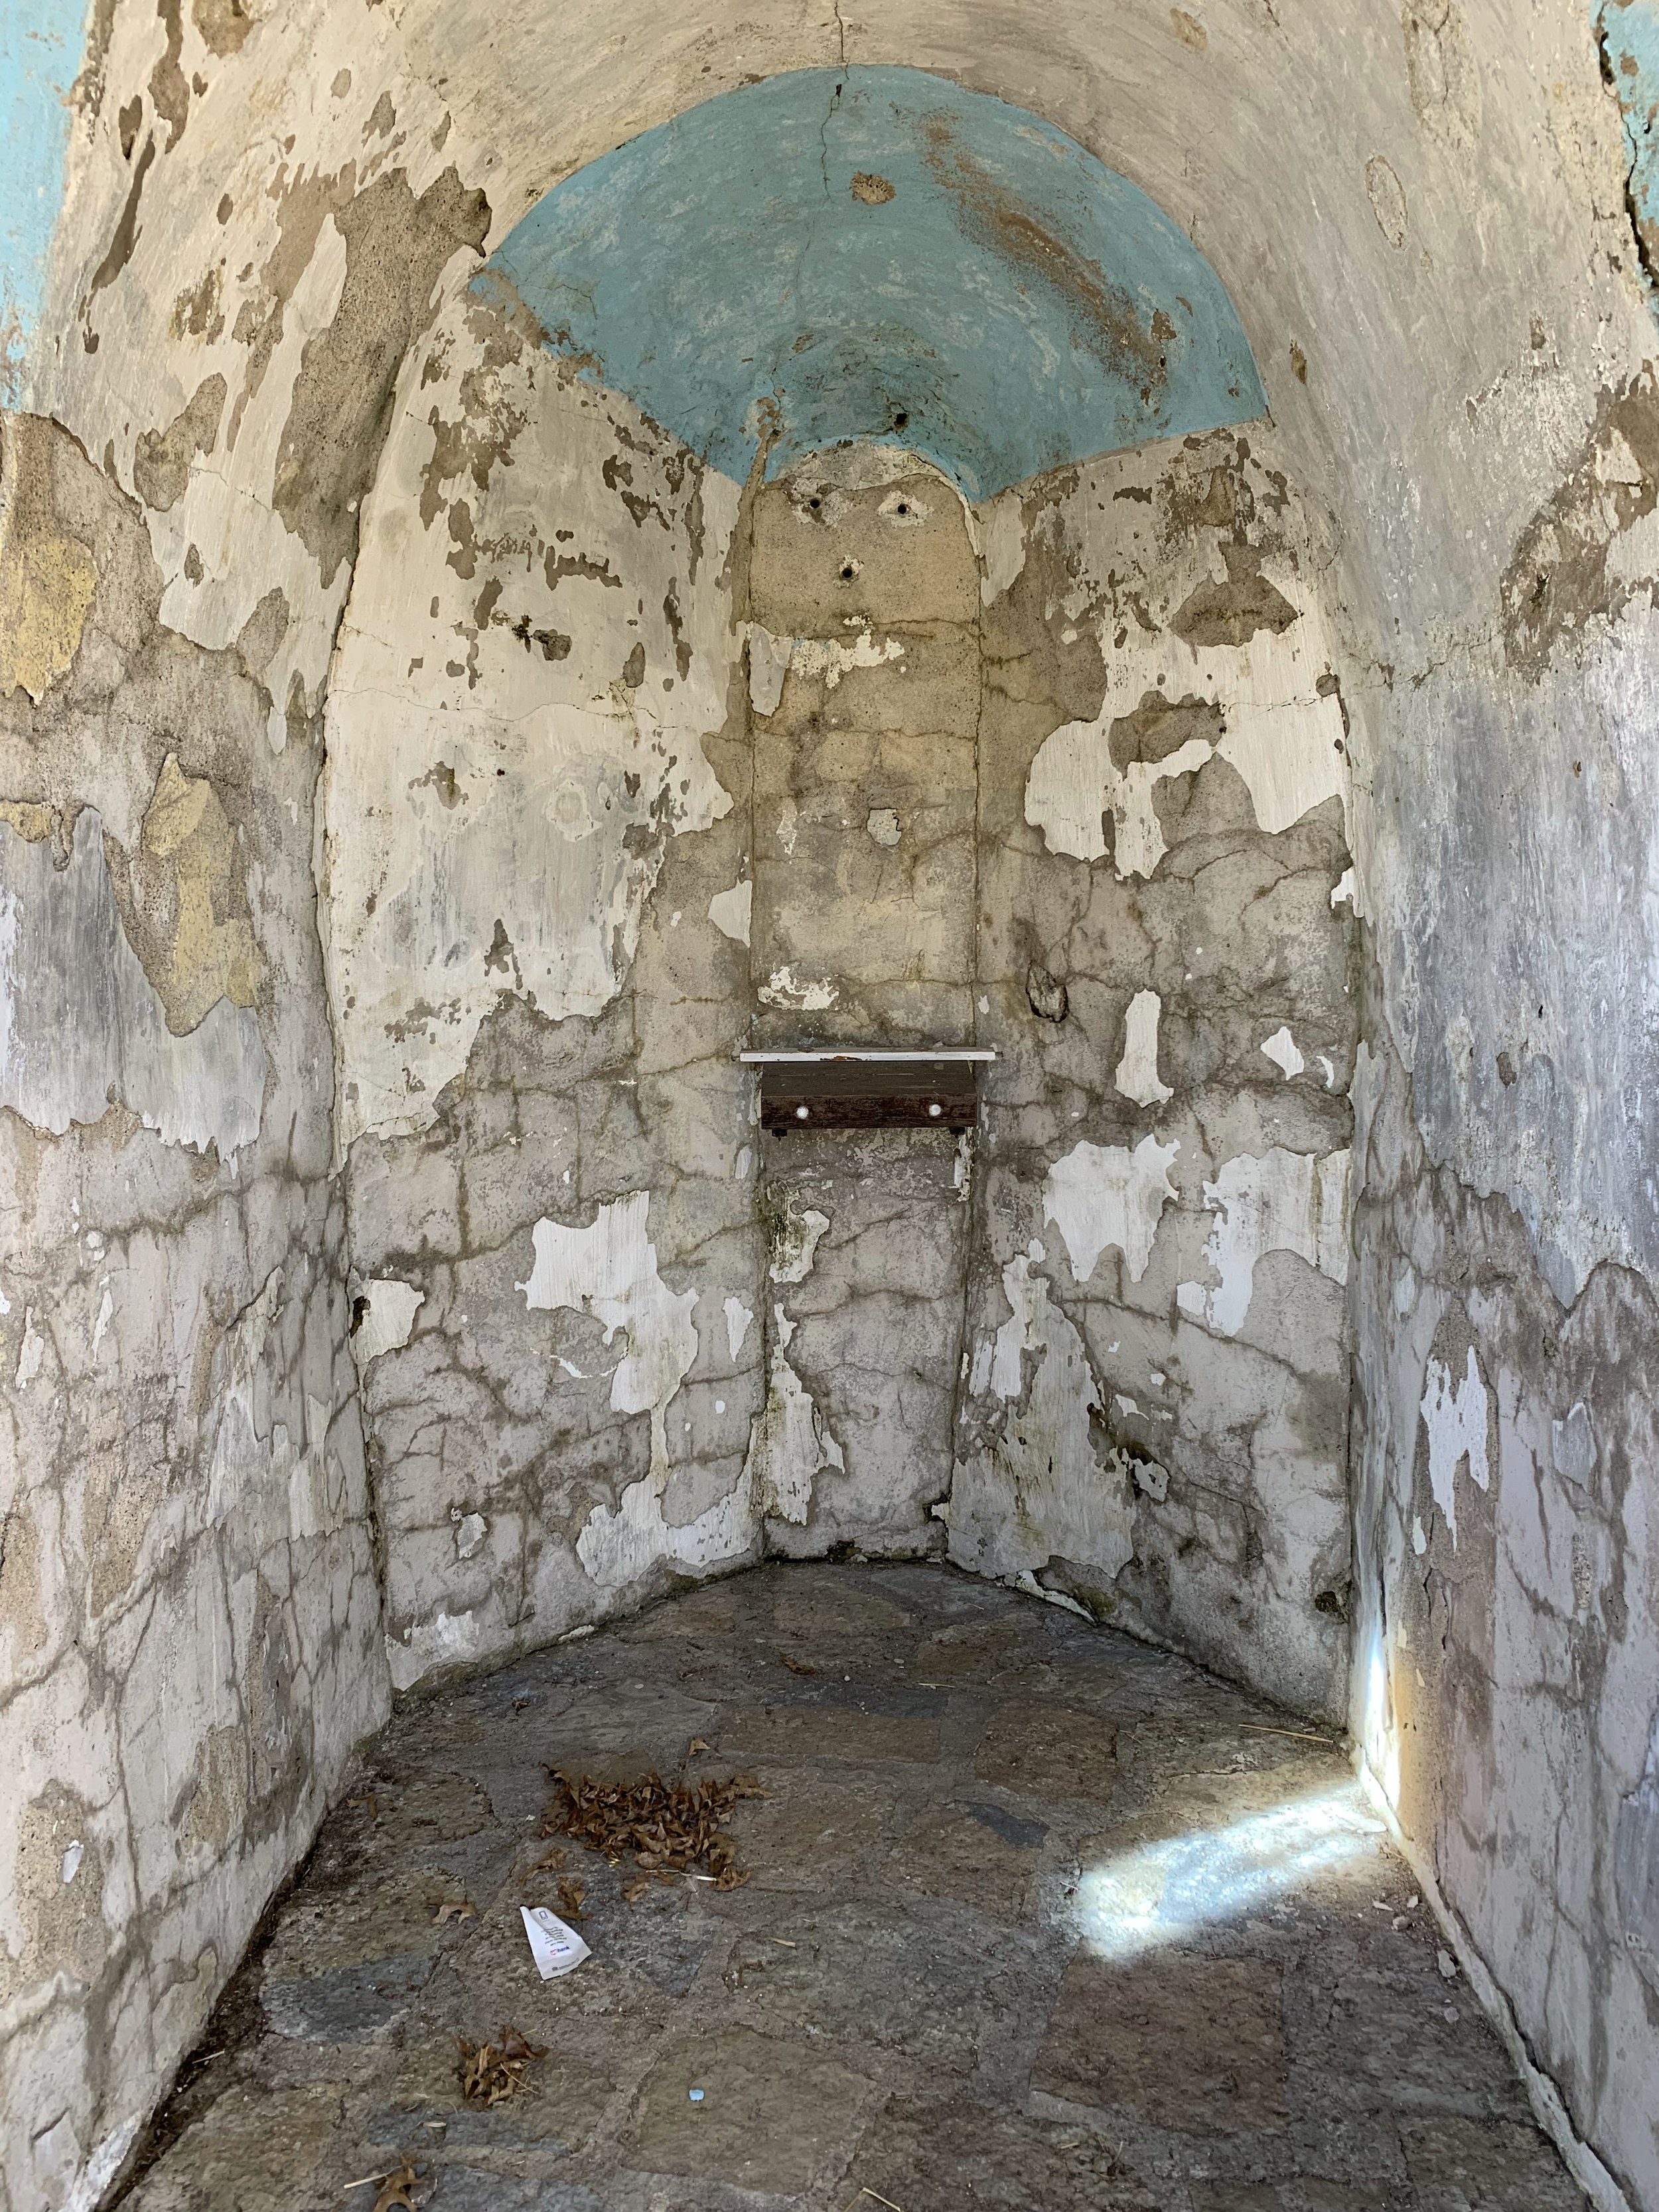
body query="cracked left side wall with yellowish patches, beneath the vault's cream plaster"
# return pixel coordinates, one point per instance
(189, 1611)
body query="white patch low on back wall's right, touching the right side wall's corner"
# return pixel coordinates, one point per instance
(1284, 1202)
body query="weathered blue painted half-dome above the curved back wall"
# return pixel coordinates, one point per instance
(875, 253)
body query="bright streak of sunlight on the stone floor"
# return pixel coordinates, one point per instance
(1169, 1892)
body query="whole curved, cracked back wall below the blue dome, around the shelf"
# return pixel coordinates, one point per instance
(554, 1421)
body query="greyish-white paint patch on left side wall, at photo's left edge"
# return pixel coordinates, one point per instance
(79, 1016)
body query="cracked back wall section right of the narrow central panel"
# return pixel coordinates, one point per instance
(1162, 1209)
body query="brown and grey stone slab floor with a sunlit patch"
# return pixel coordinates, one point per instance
(1036, 1919)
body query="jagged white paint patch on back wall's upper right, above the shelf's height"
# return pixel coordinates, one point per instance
(1280, 733)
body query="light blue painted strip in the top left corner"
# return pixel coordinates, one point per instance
(41, 50)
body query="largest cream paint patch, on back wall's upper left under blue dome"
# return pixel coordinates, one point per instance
(497, 815)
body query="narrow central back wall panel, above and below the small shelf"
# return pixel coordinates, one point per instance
(864, 587)
